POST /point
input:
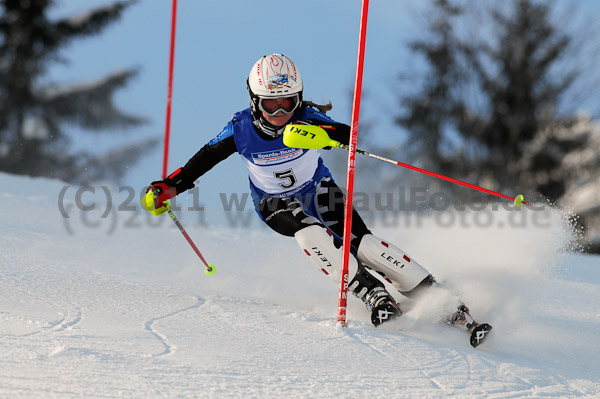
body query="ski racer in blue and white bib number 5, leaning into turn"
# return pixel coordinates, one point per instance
(293, 191)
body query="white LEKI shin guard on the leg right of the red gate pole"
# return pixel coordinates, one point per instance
(392, 263)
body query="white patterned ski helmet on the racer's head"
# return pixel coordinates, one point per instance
(274, 76)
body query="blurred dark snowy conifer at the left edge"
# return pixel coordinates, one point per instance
(36, 119)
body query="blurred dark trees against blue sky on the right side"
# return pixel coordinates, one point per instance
(498, 103)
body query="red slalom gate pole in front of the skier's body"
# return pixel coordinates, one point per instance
(344, 278)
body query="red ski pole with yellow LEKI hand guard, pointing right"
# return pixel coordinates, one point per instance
(310, 136)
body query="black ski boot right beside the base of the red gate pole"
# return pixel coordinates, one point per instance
(373, 293)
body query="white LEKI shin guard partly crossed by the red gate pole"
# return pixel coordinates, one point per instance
(318, 244)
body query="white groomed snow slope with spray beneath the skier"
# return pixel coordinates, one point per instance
(120, 307)
